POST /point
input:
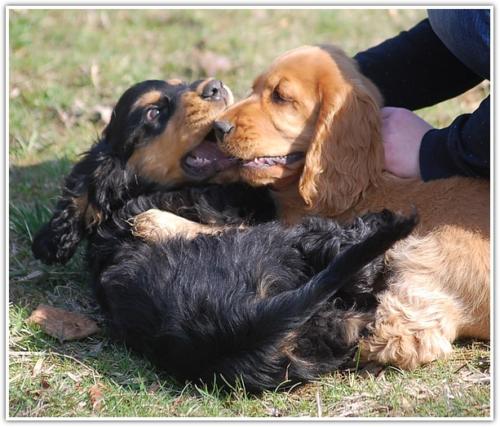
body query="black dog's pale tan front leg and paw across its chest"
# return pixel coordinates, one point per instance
(155, 225)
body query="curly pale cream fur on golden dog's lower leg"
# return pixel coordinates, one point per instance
(412, 325)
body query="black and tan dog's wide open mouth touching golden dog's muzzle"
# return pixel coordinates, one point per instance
(207, 159)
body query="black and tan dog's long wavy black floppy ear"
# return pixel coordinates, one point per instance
(89, 192)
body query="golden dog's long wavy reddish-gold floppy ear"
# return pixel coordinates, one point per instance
(346, 153)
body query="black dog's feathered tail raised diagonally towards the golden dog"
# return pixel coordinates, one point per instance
(273, 318)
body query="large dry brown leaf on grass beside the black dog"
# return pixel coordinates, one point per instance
(61, 324)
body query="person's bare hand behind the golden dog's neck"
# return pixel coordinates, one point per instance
(402, 133)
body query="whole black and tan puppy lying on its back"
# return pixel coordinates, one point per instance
(265, 303)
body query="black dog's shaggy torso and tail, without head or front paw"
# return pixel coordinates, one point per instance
(228, 306)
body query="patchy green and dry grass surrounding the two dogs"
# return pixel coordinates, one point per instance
(64, 64)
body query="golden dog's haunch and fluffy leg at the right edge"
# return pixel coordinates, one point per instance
(439, 291)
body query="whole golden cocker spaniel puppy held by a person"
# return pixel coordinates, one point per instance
(313, 100)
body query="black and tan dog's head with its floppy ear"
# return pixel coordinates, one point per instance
(145, 146)
